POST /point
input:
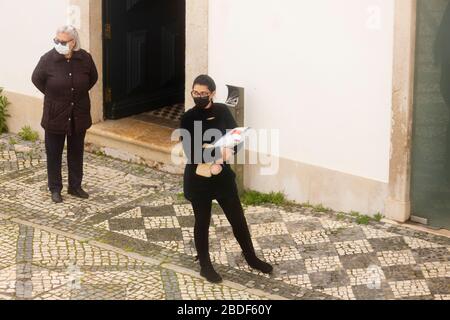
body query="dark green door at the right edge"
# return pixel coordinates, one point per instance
(430, 178)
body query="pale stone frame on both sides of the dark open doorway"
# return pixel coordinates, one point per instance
(91, 35)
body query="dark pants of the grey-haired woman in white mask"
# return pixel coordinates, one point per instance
(54, 146)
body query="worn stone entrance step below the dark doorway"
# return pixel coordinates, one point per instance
(138, 142)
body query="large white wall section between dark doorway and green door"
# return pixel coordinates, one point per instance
(320, 71)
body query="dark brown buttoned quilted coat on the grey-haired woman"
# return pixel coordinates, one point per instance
(66, 84)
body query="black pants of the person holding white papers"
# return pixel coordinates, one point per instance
(235, 214)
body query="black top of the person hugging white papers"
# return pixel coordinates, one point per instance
(197, 187)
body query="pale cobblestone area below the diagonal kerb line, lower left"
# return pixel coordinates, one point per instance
(59, 268)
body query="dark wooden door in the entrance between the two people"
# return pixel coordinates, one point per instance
(144, 55)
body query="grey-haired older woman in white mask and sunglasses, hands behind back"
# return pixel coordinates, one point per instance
(65, 75)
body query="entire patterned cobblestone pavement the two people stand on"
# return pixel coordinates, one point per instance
(133, 239)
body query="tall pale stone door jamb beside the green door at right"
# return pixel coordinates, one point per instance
(398, 204)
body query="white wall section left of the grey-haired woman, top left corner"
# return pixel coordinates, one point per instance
(27, 28)
